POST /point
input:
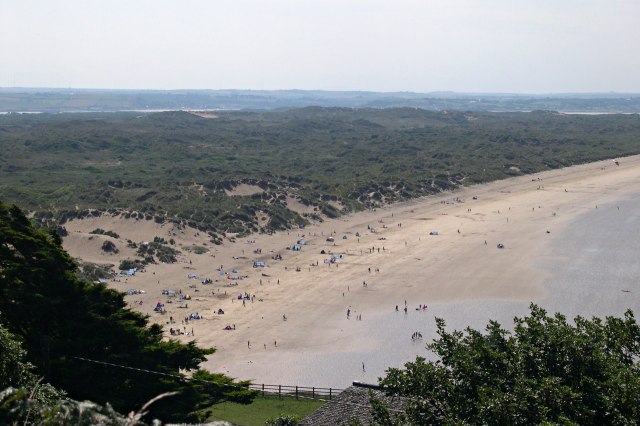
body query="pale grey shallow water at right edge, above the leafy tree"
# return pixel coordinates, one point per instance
(594, 268)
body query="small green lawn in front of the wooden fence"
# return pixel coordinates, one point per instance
(262, 409)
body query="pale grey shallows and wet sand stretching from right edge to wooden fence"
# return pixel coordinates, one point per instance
(592, 270)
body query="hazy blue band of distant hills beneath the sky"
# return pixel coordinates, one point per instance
(95, 100)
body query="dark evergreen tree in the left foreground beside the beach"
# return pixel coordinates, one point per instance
(60, 318)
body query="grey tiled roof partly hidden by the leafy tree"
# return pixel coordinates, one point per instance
(352, 403)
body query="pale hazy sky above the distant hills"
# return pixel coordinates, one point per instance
(526, 46)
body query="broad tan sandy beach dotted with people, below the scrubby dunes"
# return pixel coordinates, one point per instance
(341, 319)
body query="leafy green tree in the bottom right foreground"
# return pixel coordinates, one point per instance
(546, 370)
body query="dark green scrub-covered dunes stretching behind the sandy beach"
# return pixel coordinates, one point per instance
(326, 161)
